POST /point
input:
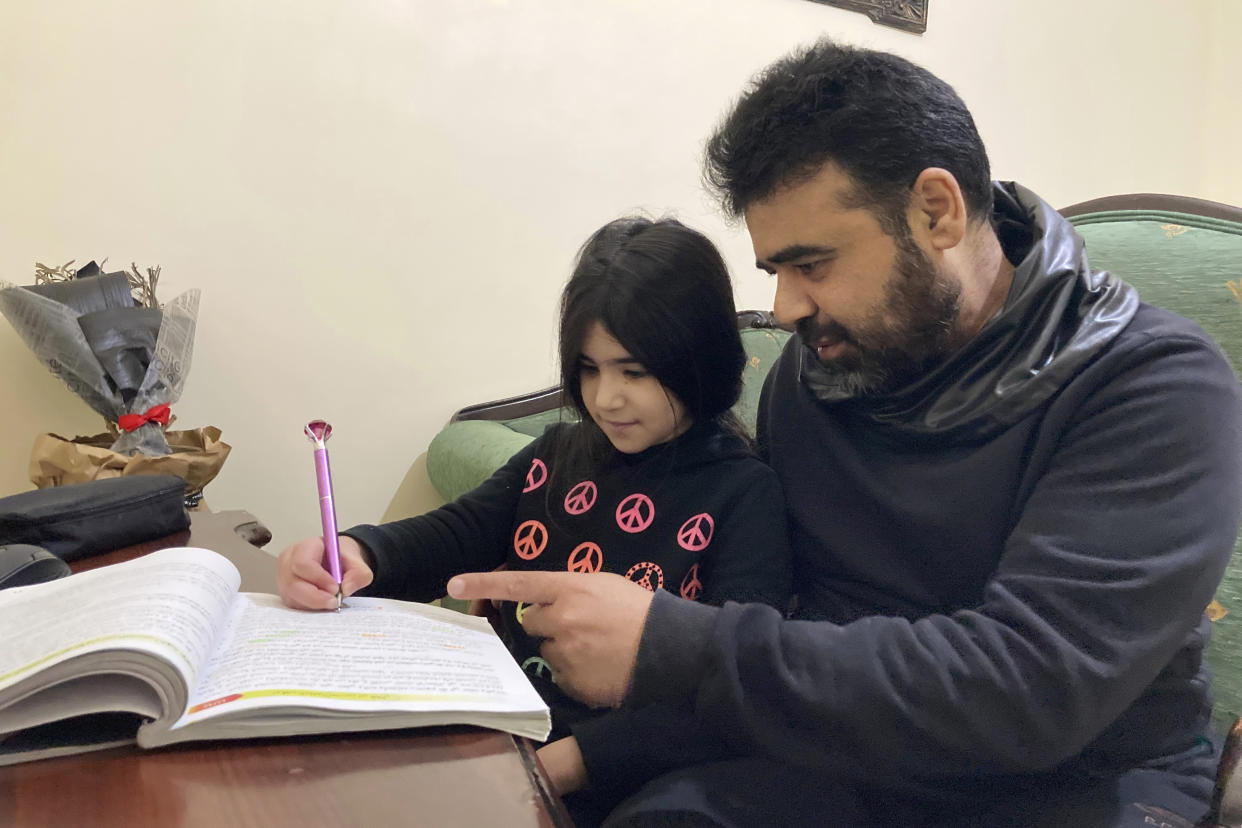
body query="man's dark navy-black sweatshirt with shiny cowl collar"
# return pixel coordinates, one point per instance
(999, 577)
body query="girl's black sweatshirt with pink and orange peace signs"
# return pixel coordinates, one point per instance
(699, 517)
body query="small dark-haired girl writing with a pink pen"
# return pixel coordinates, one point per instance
(655, 482)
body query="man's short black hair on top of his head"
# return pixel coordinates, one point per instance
(880, 119)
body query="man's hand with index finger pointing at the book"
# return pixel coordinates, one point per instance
(592, 625)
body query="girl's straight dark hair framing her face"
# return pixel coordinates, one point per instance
(663, 291)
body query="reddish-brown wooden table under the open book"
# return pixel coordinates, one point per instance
(433, 776)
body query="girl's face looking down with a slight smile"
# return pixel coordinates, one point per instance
(628, 404)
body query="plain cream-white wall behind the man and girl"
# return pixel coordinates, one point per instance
(381, 199)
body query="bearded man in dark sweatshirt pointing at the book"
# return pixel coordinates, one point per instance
(1013, 490)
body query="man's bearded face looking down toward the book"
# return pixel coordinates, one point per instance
(874, 308)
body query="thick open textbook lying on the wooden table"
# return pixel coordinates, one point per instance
(163, 650)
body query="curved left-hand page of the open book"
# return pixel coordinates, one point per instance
(168, 604)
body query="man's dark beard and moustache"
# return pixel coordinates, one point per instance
(913, 331)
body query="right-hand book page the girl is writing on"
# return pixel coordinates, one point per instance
(376, 655)
